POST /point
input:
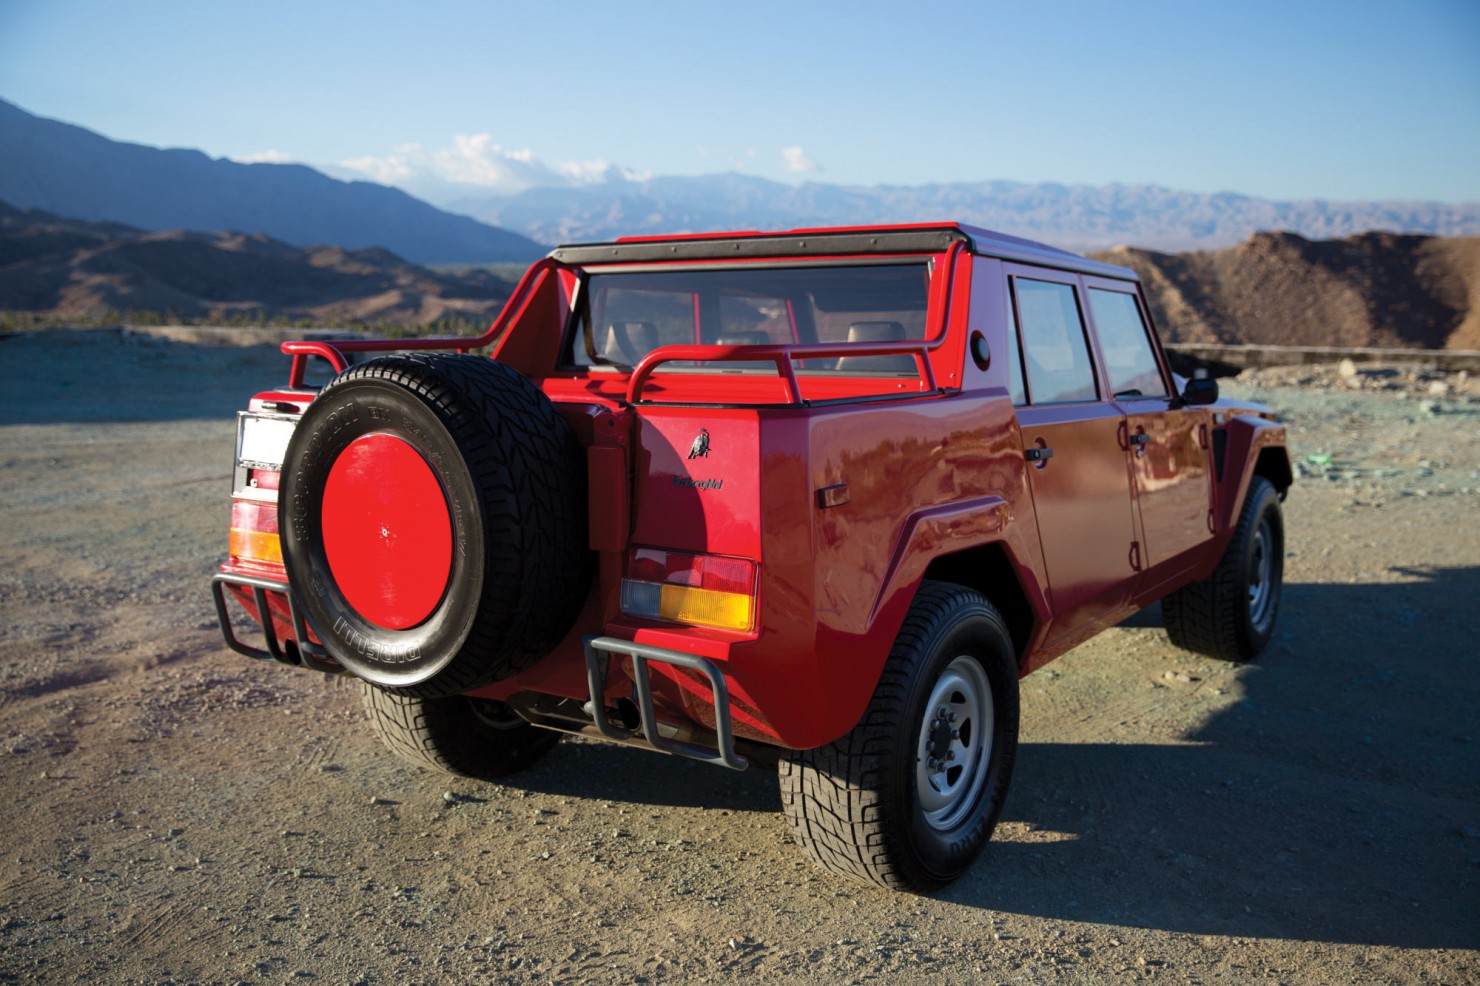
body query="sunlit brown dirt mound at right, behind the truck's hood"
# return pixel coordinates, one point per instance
(1377, 289)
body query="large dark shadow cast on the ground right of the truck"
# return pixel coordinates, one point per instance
(1339, 800)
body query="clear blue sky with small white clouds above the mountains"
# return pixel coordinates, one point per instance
(1278, 100)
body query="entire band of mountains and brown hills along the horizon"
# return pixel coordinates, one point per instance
(100, 226)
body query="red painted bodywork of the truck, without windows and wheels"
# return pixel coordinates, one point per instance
(846, 491)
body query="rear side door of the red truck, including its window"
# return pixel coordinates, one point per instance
(1074, 437)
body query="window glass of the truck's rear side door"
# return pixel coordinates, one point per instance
(1054, 346)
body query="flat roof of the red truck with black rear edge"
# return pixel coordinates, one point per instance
(846, 241)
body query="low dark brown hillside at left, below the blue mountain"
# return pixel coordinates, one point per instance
(75, 270)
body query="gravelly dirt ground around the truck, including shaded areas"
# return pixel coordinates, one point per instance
(177, 814)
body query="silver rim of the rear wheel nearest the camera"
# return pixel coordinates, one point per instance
(955, 745)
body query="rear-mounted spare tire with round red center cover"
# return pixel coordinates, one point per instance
(433, 522)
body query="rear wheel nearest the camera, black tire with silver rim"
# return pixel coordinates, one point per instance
(872, 806)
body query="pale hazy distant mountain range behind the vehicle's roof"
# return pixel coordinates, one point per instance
(1072, 217)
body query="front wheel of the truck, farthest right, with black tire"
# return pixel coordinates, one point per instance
(1231, 615)
